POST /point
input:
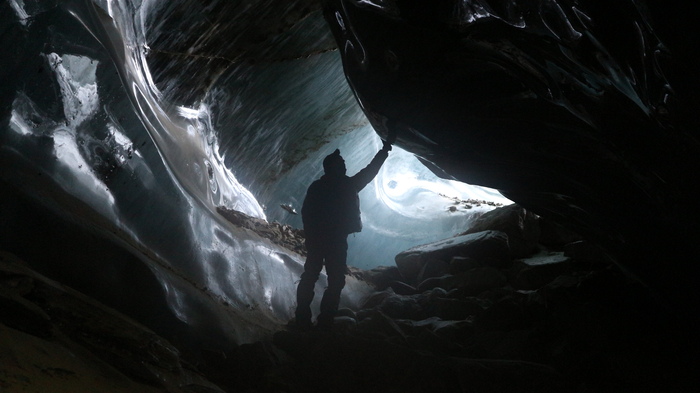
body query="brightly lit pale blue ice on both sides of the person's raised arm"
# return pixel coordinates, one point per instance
(406, 204)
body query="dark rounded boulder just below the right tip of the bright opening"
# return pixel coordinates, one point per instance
(521, 226)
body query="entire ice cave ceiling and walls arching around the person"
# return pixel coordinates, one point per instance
(124, 124)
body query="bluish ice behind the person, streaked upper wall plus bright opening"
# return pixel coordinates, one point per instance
(279, 115)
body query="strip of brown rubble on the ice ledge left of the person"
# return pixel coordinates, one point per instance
(281, 234)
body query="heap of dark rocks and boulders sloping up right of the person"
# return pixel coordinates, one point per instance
(567, 310)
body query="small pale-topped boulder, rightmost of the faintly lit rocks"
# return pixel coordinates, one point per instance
(533, 273)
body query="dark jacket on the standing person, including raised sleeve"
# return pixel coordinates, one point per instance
(331, 208)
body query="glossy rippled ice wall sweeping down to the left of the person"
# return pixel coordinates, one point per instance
(103, 149)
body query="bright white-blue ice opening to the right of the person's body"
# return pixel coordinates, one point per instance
(408, 205)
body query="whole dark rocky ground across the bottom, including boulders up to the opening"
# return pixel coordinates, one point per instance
(447, 318)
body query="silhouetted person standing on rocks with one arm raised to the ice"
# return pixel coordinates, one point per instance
(331, 211)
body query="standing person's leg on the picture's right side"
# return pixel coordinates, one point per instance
(335, 269)
